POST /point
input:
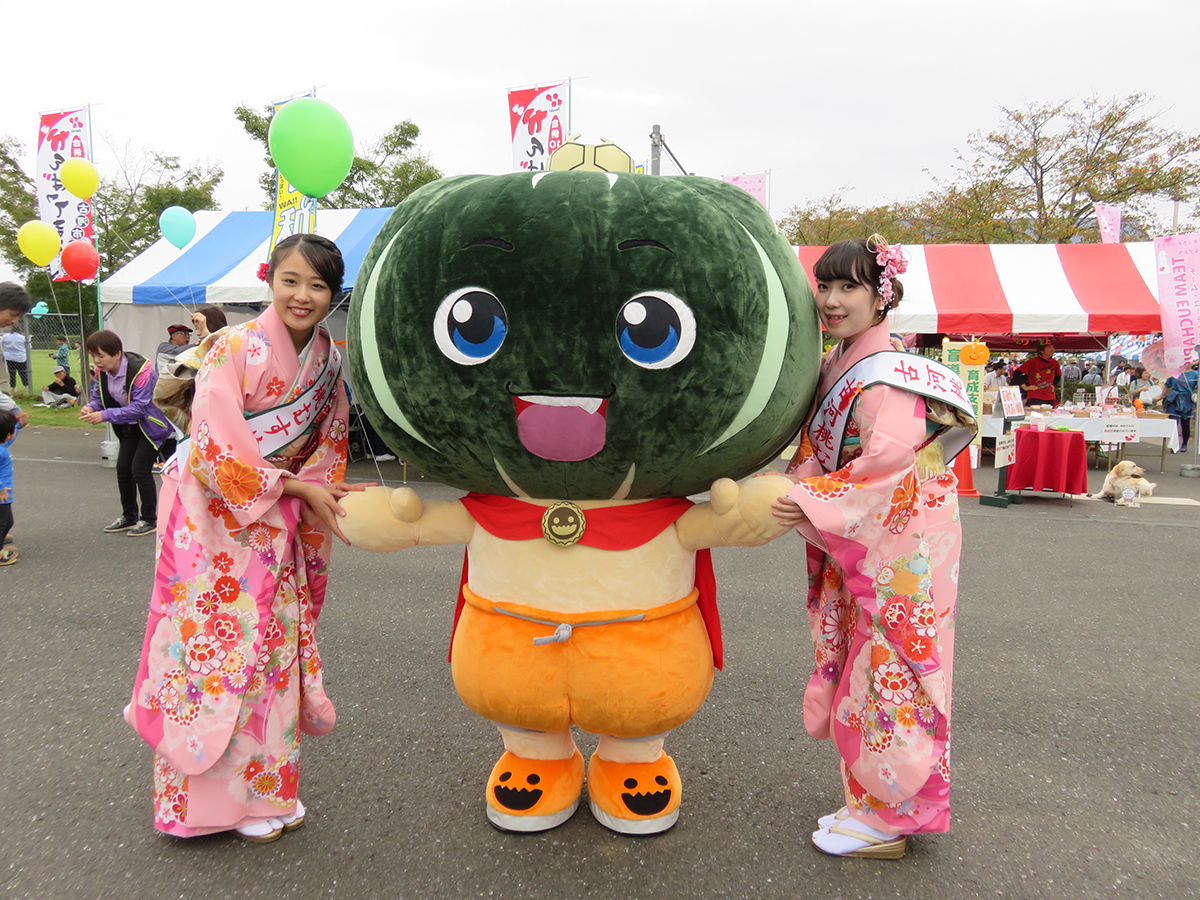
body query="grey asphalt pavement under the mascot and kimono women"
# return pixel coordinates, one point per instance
(1077, 734)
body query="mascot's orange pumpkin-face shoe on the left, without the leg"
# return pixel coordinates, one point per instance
(533, 795)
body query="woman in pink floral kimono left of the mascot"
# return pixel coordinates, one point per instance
(230, 673)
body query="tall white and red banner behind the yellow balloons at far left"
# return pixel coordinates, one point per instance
(62, 137)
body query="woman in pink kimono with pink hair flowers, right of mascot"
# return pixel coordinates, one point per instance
(878, 505)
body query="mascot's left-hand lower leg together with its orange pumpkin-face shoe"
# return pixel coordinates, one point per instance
(536, 785)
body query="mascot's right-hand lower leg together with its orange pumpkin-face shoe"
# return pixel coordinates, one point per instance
(633, 787)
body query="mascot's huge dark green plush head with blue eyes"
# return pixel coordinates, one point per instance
(584, 335)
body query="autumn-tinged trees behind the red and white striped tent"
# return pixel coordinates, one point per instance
(1034, 179)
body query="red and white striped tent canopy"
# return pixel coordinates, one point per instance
(1025, 289)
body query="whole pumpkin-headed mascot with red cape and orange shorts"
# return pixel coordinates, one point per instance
(581, 351)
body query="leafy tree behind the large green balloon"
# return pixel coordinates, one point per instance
(386, 175)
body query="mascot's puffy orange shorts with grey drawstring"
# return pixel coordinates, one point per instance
(629, 680)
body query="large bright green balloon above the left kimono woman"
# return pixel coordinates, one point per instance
(313, 146)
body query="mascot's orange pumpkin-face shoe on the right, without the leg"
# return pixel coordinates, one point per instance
(635, 797)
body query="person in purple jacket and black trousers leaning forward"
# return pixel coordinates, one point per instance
(123, 397)
